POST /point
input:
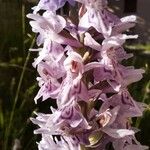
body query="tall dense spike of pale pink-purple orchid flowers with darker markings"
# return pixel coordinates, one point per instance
(80, 65)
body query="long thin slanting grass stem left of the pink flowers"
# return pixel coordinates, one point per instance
(16, 97)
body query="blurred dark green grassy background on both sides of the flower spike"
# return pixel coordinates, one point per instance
(18, 84)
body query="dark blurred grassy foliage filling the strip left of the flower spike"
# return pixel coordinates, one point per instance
(17, 81)
